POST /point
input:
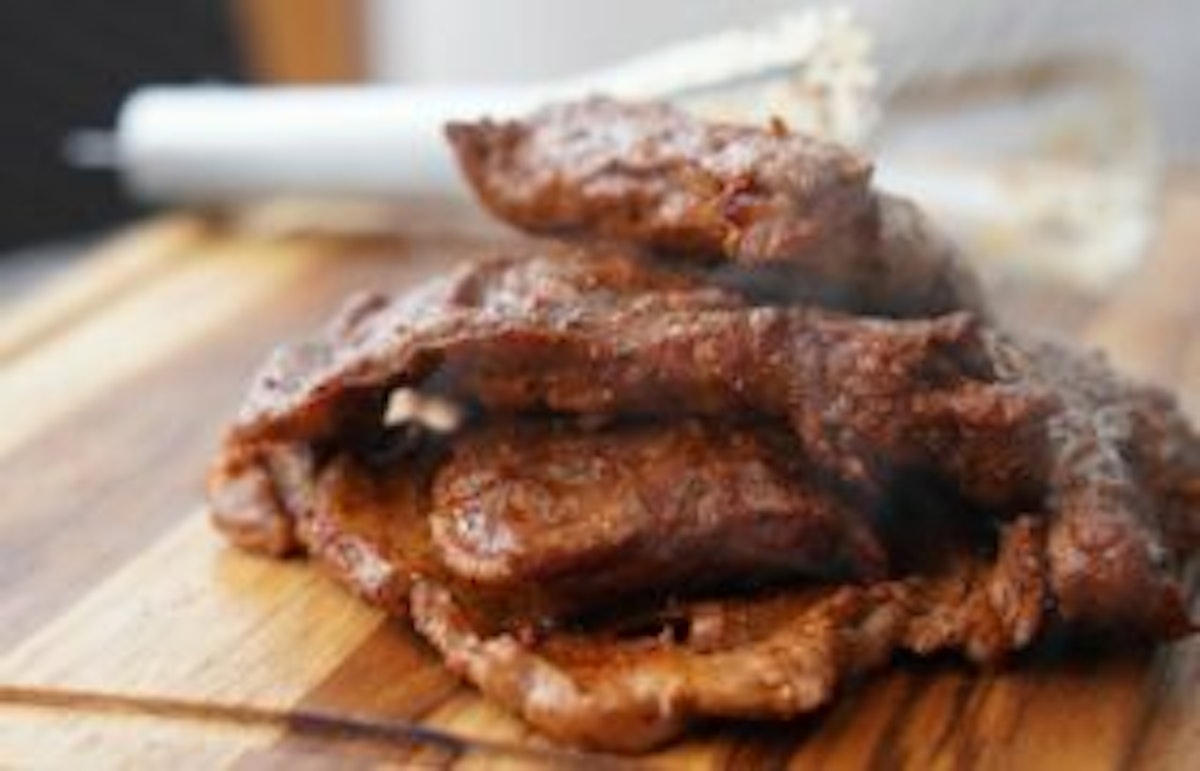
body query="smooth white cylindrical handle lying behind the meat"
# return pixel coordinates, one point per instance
(237, 144)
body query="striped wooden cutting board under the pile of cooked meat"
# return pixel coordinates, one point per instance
(131, 637)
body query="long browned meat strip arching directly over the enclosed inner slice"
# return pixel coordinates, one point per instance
(865, 397)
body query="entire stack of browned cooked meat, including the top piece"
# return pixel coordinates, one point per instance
(740, 432)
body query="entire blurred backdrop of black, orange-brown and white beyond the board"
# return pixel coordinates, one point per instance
(67, 65)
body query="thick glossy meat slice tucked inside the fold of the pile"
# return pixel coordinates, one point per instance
(532, 524)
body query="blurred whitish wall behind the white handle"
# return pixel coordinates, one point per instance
(515, 40)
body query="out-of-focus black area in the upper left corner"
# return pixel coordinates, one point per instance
(68, 64)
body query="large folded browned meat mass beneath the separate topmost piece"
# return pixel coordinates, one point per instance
(565, 517)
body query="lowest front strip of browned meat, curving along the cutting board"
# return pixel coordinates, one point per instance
(772, 656)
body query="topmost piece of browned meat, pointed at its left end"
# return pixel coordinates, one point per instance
(796, 216)
